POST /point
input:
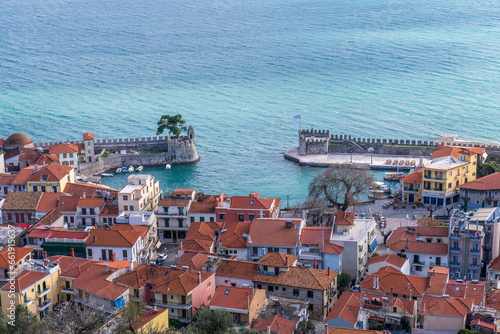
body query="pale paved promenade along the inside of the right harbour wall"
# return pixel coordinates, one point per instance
(375, 161)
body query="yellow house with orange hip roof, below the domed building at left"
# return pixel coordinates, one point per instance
(51, 178)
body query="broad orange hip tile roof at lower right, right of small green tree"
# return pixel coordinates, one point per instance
(391, 279)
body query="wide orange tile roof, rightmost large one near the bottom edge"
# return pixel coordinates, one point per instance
(445, 306)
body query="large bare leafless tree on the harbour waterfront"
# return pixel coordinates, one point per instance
(341, 186)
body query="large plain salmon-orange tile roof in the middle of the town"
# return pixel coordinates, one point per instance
(264, 232)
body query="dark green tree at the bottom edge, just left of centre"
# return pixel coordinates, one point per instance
(209, 321)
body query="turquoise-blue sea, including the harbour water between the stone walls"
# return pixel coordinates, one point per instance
(239, 71)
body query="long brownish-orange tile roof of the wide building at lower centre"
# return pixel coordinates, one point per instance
(307, 278)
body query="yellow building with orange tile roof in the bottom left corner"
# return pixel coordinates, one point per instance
(36, 288)
